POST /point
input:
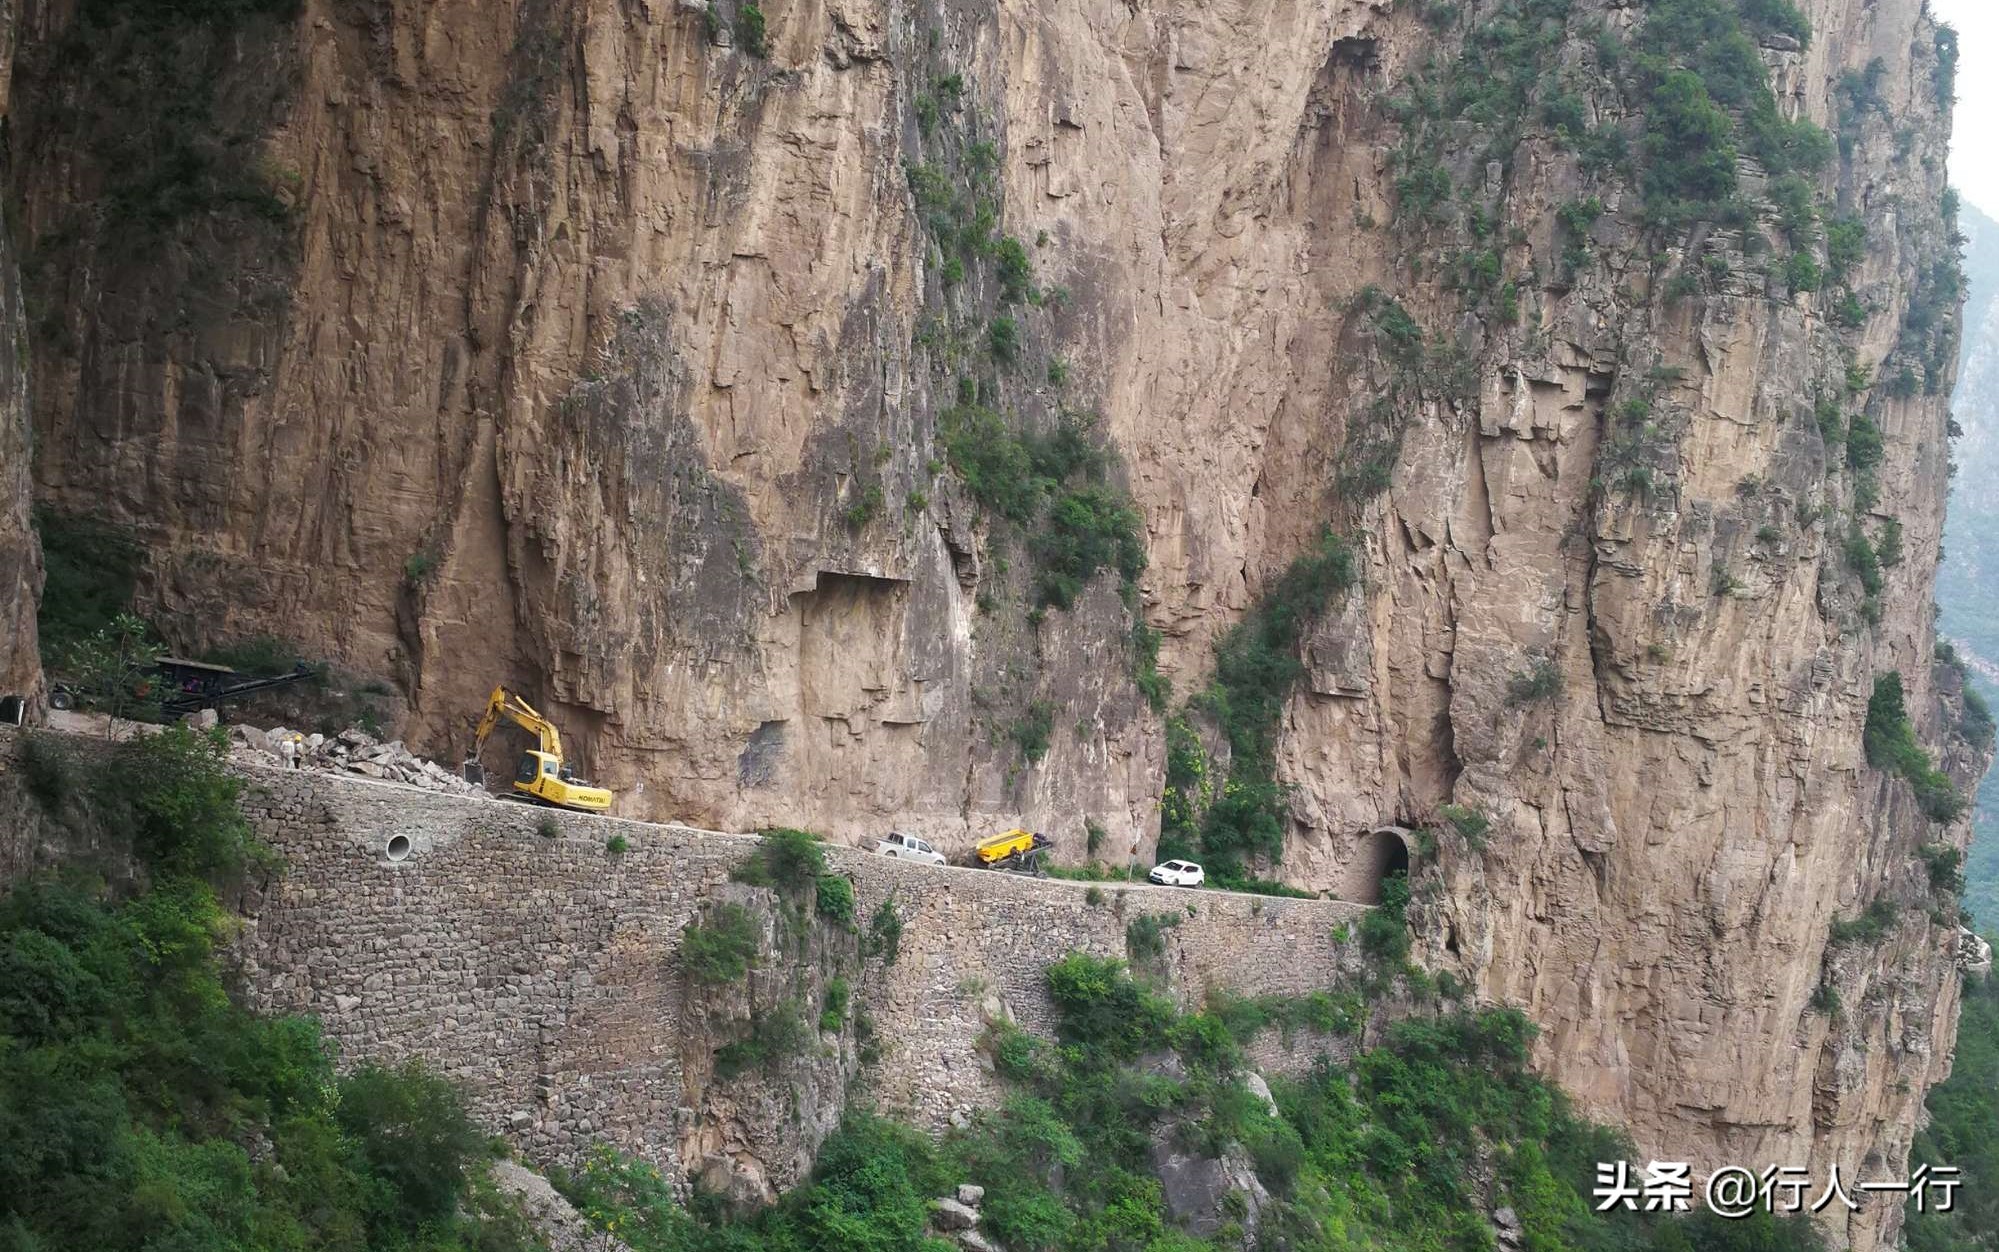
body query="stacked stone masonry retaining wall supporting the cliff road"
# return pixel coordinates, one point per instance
(543, 971)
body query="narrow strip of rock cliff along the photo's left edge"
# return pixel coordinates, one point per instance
(21, 557)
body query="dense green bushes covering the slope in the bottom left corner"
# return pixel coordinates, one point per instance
(133, 1087)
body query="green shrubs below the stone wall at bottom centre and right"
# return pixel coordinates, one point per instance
(1408, 1147)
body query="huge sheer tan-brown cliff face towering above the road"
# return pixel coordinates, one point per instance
(603, 351)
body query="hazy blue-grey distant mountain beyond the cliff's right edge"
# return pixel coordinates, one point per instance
(1968, 585)
